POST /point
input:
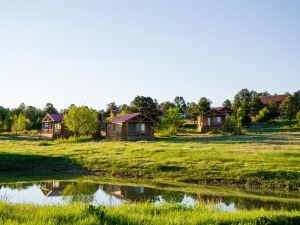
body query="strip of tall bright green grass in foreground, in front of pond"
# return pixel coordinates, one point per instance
(139, 214)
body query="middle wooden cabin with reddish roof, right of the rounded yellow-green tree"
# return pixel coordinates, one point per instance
(130, 127)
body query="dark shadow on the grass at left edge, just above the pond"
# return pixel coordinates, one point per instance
(30, 162)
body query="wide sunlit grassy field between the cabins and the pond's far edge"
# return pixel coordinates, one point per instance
(268, 160)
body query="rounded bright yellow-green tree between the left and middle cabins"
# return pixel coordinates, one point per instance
(81, 120)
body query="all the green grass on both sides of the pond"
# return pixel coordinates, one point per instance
(255, 161)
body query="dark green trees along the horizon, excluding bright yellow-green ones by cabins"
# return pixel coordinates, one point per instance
(245, 103)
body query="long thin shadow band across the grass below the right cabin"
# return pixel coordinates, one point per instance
(280, 139)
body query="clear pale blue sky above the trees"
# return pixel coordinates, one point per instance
(95, 52)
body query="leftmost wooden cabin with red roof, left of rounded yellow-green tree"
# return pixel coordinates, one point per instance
(53, 127)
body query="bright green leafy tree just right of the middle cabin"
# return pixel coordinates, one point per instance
(171, 121)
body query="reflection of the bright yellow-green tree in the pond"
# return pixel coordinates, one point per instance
(79, 192)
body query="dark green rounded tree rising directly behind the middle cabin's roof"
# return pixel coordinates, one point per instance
(145, 105)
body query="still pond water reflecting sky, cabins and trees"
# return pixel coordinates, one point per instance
(65, 192)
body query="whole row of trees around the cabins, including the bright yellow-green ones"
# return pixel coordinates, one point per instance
(246, 105)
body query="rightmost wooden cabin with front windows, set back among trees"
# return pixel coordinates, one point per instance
(214, 119)
